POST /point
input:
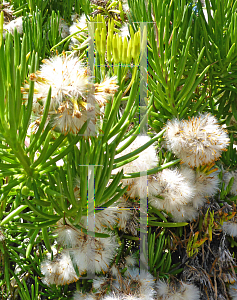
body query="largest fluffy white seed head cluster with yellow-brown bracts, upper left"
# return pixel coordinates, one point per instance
(73, 101)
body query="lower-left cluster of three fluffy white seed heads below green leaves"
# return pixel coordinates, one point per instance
(80, 250)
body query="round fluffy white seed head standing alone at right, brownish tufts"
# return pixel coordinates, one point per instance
(197, 141)
